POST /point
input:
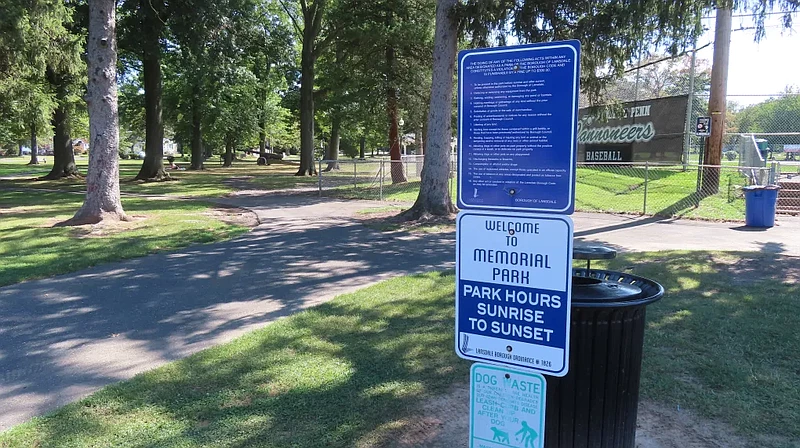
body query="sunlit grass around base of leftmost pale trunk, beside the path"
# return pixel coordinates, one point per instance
(31, 248)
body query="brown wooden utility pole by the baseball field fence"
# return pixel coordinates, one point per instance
(718, 99)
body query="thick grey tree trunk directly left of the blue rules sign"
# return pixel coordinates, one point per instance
(434, 194)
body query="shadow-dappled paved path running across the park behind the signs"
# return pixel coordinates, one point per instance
(64, 337)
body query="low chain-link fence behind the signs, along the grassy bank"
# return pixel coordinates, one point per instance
(634, 188)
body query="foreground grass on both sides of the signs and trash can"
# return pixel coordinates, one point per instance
(722, 342)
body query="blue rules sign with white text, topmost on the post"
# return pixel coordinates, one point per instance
(517, 127)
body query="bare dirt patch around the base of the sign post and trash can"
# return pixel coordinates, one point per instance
(443, 422)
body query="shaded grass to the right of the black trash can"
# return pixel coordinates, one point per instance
(723, 339)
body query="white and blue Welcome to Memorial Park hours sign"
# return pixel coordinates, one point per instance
(513, 288)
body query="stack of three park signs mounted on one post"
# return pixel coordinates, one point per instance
(517, 154)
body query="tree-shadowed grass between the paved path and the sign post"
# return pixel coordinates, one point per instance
(324, 378)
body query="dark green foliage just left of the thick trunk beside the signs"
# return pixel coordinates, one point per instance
(355, 75)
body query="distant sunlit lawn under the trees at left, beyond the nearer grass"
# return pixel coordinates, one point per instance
(215, 181)
